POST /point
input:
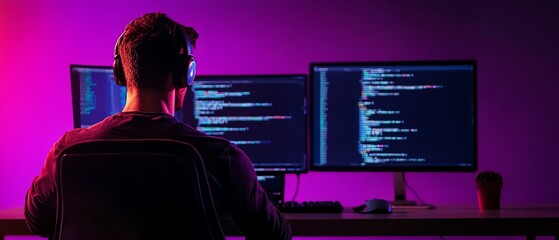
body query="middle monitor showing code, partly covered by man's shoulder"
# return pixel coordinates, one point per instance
(264, 115)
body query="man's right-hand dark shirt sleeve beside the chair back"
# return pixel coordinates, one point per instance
(251, 210)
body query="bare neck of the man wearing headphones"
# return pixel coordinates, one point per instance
(151, 101)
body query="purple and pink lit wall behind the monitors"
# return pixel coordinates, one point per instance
(516, 45)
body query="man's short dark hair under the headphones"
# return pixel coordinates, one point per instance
(150, 47)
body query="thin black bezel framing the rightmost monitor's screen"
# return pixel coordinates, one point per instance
(313, 128)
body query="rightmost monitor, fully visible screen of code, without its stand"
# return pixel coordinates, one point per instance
(394, 116)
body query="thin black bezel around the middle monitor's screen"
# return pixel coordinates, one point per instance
(307, 109)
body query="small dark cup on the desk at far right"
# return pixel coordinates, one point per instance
(489, 185)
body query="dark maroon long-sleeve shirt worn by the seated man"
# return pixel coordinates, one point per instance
(235, 188)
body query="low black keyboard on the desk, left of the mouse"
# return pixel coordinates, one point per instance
(311, 207)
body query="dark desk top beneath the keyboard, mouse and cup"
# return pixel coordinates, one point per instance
(443, 221)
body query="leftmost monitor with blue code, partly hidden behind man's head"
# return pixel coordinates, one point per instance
(95, 95)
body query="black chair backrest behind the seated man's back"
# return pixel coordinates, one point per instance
(134, 189)
